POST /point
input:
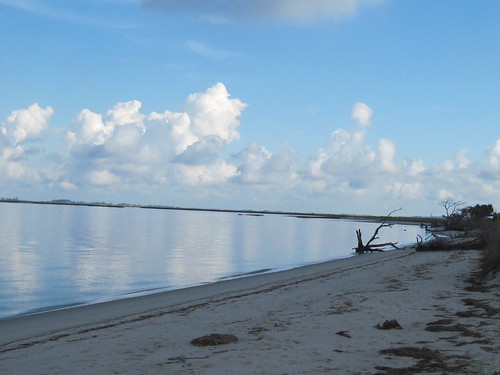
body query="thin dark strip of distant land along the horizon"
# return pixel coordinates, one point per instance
(303, 215)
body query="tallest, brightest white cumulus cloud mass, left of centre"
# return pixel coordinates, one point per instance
(128, 147)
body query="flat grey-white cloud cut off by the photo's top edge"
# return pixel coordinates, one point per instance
(301, 11)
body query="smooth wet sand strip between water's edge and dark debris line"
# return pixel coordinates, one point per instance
(96, 312)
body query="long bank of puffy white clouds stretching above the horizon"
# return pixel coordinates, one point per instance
(125, 151)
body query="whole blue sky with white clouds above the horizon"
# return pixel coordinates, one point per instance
(331, 106)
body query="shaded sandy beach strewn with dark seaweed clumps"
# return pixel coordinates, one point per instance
(310, 320)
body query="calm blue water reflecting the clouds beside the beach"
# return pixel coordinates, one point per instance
(54, 256)
